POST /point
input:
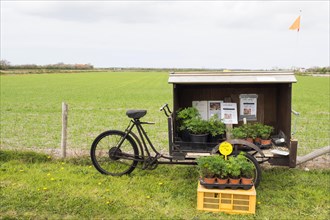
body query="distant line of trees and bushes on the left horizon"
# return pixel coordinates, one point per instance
(5, 65)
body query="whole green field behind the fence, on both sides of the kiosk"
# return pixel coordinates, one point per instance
(31, 108)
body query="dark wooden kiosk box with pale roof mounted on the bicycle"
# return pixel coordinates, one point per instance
(271, 90)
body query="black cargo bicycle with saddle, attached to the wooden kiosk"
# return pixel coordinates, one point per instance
(117, 153)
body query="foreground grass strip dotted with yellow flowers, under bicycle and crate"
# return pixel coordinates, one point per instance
(35, 186)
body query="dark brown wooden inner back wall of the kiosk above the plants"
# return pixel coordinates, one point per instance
(274, 100)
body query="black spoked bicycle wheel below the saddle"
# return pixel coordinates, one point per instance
(111, 154)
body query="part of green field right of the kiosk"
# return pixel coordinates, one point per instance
(311, 97)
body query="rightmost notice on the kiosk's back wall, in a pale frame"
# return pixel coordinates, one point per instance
(248, 106)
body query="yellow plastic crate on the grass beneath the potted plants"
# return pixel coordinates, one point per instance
(226, 200)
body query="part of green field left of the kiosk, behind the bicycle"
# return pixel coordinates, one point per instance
(31, 106)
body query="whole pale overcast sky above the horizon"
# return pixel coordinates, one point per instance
(171, 34)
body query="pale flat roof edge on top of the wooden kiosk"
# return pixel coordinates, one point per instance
(231, 77)
